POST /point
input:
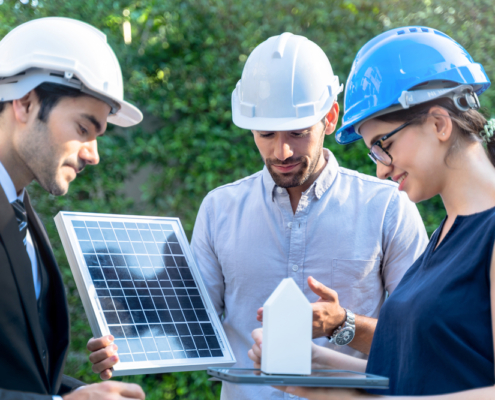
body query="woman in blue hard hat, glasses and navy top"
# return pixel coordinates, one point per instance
(412, 95)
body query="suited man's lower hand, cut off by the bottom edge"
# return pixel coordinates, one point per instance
(107, 391)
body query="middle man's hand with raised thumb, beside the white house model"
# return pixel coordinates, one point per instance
(328, 314)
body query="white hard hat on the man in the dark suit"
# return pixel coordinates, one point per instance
(67, 52)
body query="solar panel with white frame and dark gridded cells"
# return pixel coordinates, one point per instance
(138, 281)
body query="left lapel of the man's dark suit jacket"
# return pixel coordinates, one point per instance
(20, 265)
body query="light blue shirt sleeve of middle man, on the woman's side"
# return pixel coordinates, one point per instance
(405, 239)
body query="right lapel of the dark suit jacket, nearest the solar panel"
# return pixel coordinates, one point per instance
(57, 290)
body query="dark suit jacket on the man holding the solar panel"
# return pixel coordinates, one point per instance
(22, 345)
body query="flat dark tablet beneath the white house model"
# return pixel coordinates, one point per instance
(318, 378)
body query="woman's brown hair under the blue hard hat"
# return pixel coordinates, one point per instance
(467, 124)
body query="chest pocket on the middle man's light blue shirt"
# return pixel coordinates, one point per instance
(358, 284)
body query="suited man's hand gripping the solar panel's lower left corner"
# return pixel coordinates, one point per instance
(103, 355)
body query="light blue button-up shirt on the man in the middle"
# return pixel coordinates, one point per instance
(354, 233)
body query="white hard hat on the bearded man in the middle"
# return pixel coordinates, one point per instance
(287, 83)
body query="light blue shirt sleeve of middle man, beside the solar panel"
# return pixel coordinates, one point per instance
(202, 245)
